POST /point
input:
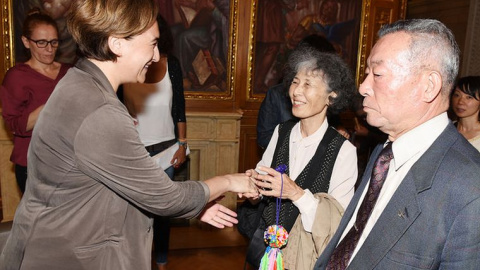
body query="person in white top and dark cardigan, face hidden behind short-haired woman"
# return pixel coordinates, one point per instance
(159, 108)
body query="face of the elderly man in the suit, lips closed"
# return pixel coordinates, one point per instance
(391, 89)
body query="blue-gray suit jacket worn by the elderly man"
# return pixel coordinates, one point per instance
(432, 220)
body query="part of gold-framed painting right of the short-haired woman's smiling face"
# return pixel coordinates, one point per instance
(204, 35)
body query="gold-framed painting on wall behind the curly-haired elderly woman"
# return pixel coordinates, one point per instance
(277, 26)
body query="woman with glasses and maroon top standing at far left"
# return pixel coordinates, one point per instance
(27, 86)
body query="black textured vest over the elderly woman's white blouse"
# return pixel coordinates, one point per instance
(315, 176)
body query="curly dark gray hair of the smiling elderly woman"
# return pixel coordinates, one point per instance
(334, 71)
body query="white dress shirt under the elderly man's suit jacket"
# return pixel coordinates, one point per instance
(407, 149)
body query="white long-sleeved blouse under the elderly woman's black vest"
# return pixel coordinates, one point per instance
(302, 150)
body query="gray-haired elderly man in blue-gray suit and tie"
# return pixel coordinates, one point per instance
(418, 205)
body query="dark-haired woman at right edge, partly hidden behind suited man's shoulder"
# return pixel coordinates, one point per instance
(466, 106)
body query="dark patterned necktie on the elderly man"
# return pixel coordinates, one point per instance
(342, 253)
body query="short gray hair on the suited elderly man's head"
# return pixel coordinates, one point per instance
(433, 46)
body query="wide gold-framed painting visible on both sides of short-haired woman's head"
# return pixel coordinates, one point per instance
(204, 35)
